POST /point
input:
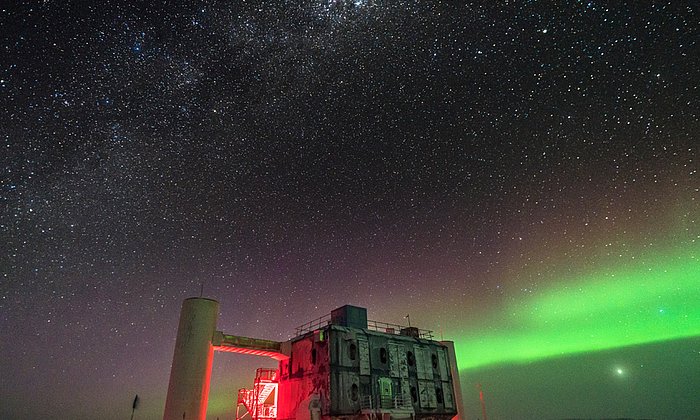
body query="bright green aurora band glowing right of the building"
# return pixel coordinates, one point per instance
(657, 299)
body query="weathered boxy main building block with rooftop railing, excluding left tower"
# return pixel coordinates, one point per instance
(350, 368)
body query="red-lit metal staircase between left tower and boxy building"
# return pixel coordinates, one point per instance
(261, 401)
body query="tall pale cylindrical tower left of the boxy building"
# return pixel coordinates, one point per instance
(188, 390)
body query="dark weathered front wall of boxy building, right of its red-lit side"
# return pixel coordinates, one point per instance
(382, 376)
